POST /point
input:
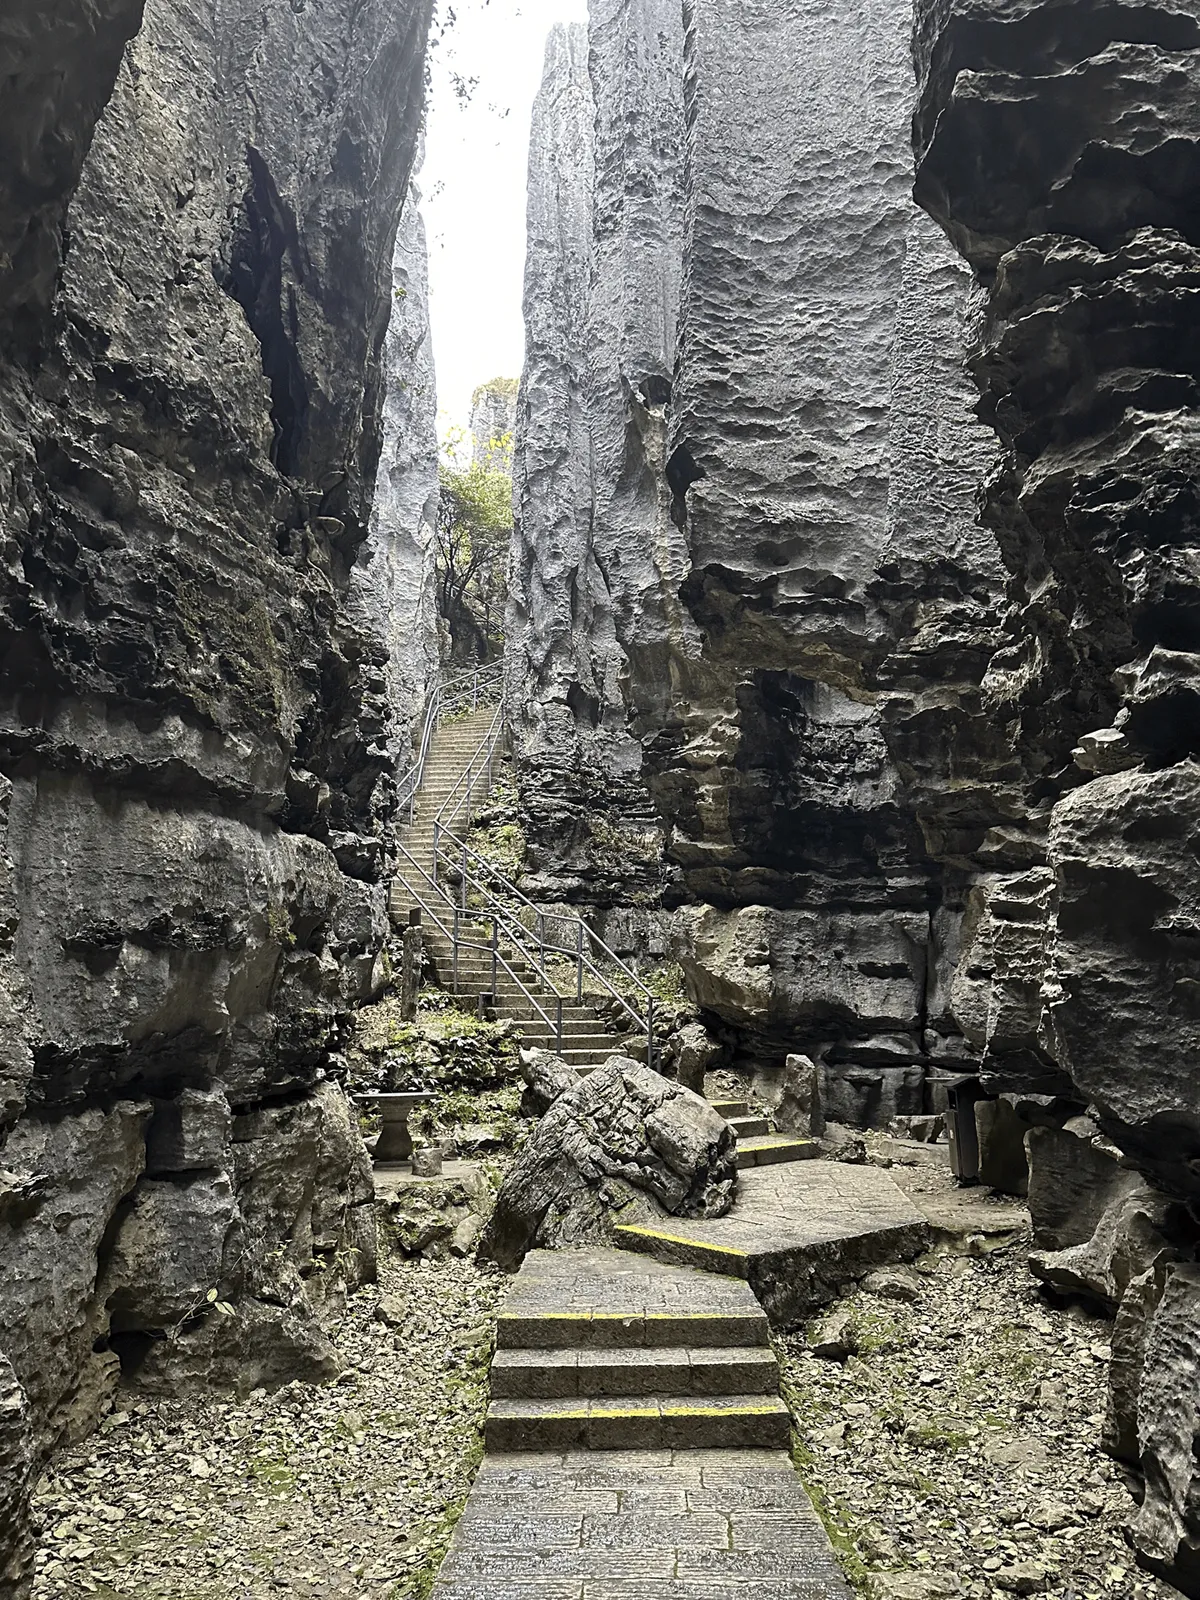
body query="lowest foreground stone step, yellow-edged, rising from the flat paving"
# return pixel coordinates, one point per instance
(654, 1423)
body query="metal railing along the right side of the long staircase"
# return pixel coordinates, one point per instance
(494, 898)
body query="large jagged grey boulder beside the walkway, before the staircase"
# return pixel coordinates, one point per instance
(623, 1135)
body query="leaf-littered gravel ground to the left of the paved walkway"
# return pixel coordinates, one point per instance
(306, 1492)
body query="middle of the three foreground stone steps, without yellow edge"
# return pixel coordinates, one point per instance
(556, 1375)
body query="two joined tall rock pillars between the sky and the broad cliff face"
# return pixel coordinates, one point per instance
(594, 602)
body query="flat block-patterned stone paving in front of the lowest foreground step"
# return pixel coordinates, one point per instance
(641, 1526)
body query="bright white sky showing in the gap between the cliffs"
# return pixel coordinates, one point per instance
(474, 188)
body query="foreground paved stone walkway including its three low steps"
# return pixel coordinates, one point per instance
(636, 1446)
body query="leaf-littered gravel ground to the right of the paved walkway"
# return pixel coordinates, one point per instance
(962, 1442)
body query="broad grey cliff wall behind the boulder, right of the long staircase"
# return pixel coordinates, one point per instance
(798, 602)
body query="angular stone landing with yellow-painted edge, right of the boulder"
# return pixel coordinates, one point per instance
(798, 1234)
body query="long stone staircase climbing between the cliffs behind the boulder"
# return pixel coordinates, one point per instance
(590, 1039)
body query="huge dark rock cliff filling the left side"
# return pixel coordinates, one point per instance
(198, 217)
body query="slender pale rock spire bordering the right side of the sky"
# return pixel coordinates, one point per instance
(558, 610)
